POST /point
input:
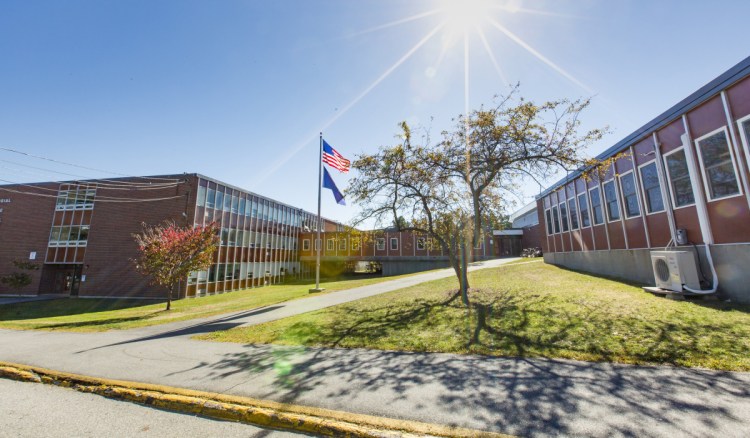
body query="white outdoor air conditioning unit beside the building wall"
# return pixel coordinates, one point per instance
(675, 269)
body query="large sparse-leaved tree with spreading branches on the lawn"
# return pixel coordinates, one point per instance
(452, 189)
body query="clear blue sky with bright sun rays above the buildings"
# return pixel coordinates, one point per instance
(238, 90)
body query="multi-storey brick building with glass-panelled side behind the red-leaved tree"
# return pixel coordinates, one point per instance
(79, 234)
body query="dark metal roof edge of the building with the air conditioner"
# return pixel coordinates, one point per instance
(731, 76)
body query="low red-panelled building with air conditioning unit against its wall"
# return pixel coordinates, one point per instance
(681, 181)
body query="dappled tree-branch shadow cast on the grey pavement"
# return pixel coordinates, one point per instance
(527, 397)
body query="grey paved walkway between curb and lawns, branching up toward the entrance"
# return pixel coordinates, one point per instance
(530, 397)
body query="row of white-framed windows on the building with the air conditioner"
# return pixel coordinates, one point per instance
(718, 166)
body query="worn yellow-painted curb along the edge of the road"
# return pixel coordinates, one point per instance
(275, 415)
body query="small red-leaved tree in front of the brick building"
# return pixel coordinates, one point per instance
(170, 252)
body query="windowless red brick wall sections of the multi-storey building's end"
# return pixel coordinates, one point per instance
(25, 226)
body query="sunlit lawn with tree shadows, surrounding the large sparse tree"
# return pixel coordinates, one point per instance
(530, 309)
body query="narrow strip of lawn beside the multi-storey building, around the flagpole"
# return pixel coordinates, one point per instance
(109, 314)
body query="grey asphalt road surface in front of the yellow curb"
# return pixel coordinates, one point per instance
(37, 411)
